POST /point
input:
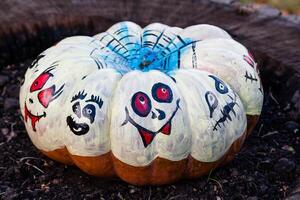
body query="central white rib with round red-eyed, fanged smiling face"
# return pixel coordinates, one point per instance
(152, 122)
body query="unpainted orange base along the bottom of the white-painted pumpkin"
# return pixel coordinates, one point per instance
(159, 172)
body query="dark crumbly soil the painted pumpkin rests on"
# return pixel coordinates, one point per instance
(266, 168)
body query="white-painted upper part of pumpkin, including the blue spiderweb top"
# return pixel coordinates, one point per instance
(191, 132)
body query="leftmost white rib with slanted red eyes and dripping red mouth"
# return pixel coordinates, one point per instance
(43, 92)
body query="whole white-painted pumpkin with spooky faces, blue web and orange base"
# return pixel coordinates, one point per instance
(148, 105)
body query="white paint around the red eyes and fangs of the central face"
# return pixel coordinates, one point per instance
(127, 144)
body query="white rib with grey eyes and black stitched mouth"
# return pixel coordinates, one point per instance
(210, 139)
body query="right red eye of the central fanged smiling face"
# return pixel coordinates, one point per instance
(162, 93)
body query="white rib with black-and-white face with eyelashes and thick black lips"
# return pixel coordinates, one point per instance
(87, 115)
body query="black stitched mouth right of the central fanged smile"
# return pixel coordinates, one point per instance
(227, 109)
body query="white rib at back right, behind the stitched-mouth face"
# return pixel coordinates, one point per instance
(225, 58)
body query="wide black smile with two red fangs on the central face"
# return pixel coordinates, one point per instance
(147, 135)
